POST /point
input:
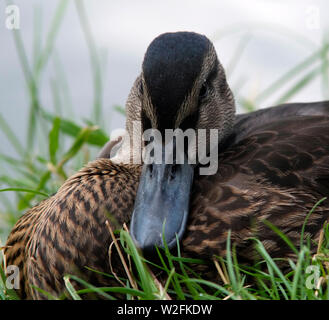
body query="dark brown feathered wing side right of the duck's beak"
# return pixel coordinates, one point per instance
(276, 172)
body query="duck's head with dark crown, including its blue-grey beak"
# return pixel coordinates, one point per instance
(182, 85)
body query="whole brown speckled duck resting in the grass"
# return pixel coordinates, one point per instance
(273, 165)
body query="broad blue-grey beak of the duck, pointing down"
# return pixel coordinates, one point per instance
(161, 205)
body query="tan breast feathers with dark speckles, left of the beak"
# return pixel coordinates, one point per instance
(67, 233)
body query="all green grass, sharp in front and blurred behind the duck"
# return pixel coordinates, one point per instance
(67, 144)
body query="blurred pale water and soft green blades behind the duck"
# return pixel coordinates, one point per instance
(68, 66)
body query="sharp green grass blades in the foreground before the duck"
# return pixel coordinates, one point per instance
(307, 278)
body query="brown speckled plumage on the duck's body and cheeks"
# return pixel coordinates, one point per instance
(273, 165)
